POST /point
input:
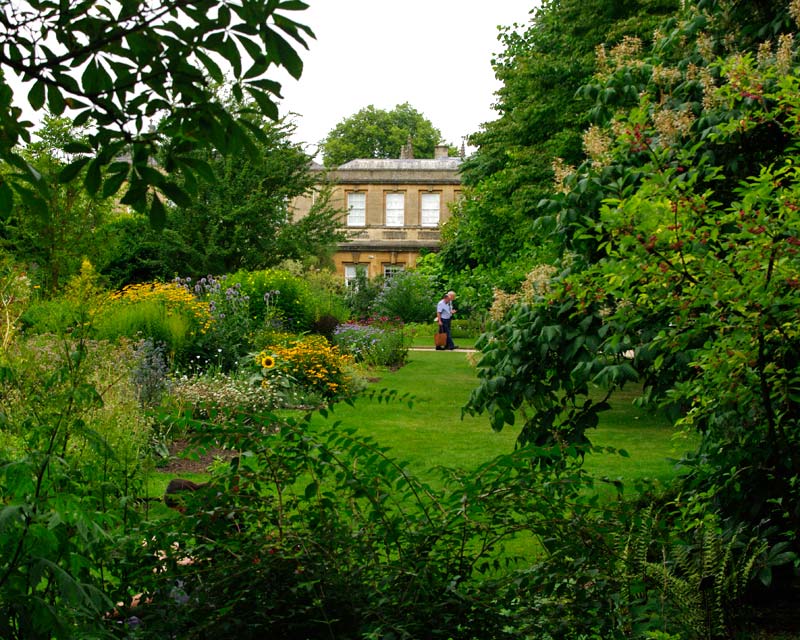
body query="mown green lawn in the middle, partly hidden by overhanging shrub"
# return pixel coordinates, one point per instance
(432, 431)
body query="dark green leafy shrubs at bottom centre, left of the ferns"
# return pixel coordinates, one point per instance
(296, 540)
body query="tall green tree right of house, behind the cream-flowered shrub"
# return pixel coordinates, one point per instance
(540, 118)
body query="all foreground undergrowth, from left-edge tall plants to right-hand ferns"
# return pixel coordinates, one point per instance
(313, 529)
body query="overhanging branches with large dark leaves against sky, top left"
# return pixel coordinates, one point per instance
(122, 67)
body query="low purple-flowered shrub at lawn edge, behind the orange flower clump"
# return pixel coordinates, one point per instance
(376, 343)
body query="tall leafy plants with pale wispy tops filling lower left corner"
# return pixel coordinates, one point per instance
(65, 495)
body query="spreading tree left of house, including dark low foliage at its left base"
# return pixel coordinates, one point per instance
(239, 220)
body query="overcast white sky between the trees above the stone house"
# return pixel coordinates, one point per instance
(434, 54)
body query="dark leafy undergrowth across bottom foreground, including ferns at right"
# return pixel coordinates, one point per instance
(317, 531)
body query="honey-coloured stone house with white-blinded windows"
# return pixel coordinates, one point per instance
(391, 208)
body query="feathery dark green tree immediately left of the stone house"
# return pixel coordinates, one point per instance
(241, 219)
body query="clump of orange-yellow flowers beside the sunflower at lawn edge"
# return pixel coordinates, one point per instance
(311, 363)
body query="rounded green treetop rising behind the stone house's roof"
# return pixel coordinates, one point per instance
(376, 133)
